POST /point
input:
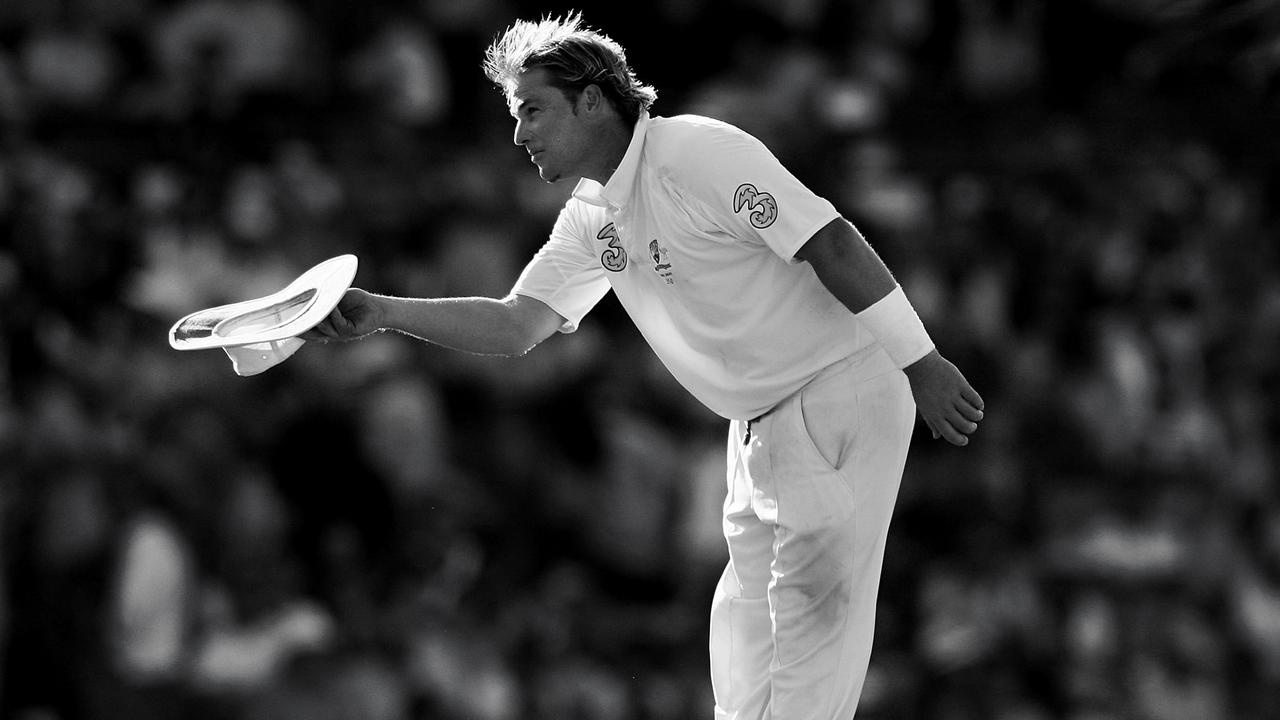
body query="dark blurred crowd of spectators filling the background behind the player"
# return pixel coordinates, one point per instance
(1080, 197)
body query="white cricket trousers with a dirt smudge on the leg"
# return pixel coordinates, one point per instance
(812, 487)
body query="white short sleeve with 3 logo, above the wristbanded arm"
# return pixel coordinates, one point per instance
(746, 190)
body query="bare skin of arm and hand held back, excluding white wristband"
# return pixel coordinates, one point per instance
(857, 276)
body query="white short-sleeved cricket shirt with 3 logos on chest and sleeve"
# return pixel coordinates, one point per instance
(697, 234)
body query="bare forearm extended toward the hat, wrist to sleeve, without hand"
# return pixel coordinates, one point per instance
(483, 326)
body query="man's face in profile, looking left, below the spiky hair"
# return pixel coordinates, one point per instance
(550, 127)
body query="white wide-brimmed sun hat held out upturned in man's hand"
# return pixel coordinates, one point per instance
(262, 334)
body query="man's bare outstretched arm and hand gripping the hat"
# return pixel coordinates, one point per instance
(484, 326)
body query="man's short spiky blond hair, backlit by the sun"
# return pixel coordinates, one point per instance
(575, 58)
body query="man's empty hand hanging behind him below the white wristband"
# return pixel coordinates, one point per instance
(948, 403)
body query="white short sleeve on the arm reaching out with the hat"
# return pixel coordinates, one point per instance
(565, 274)
